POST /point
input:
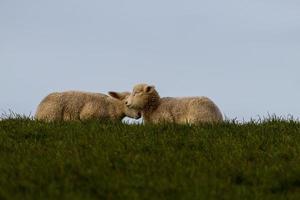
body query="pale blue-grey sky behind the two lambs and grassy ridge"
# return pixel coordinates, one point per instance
(243, 54)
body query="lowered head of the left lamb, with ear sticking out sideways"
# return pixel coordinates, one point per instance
(123, 98)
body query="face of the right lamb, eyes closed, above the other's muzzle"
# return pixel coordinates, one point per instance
(140, 96)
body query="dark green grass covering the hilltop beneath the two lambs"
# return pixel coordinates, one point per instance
(105, 160)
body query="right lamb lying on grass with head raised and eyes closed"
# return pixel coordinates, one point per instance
(188, 110)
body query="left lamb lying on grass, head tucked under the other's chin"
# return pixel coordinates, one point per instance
(76, 105)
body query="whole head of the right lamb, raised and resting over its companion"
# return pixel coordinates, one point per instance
(143, 97)
